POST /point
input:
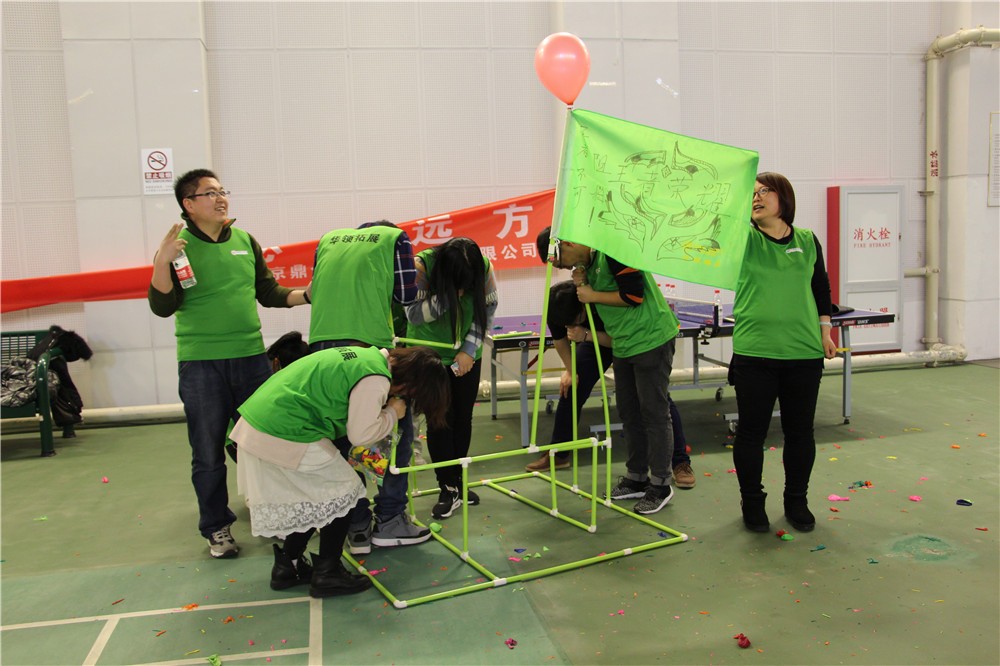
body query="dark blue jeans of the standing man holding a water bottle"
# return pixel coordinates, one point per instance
(211, 392)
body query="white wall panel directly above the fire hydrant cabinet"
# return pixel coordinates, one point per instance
(861, 128)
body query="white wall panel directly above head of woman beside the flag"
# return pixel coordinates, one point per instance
(747, 101)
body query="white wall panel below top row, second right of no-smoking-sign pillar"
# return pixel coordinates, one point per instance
(314, 125)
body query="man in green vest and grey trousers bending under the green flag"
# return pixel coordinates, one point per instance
(642, 328)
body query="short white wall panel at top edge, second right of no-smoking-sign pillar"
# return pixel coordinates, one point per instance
(310, 25)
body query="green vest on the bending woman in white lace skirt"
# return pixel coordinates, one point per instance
(308, 400)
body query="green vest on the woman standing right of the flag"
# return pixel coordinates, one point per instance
(775, 311)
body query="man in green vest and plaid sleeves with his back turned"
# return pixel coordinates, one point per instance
(360, 278)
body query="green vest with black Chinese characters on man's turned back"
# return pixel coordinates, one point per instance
(352, 286)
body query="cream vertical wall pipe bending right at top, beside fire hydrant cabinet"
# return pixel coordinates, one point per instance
(931, 272)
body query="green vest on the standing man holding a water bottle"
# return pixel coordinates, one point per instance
(218, 318)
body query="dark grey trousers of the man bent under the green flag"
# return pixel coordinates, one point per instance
(641, 383)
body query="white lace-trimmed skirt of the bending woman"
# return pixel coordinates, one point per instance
(282, 501)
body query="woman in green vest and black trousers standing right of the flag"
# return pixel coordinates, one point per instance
(781, 336)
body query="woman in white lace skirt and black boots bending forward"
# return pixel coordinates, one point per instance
(293, 476)
